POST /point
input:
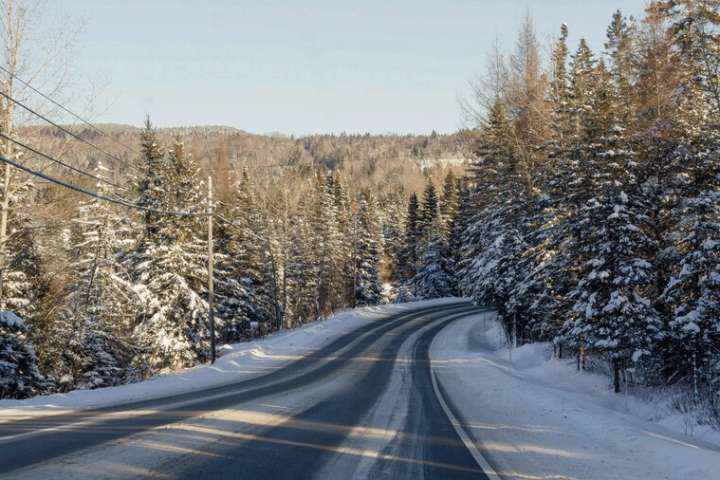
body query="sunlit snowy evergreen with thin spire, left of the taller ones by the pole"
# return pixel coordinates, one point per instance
(92, 330)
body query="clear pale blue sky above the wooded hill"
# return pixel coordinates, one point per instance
(310, 66)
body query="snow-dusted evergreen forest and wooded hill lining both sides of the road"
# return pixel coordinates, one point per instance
(583, 206)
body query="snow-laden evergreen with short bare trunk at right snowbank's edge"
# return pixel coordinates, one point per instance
(615, 315)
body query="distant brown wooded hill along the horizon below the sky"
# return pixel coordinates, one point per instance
(367, 160)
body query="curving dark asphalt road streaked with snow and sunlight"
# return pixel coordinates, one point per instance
(364, 406)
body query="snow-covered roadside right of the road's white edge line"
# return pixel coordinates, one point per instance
(538, 418)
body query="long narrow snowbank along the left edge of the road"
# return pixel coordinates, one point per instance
(237, 362)
